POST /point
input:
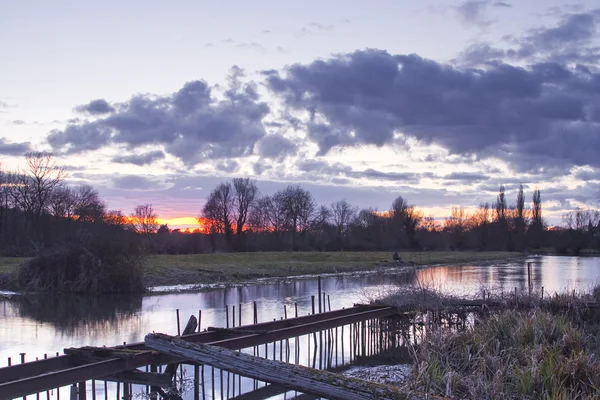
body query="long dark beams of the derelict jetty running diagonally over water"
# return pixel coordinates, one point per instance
(121, 363)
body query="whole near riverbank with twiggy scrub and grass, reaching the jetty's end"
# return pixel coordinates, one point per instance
(521, 346)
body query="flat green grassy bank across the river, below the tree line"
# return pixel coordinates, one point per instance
(226, 267)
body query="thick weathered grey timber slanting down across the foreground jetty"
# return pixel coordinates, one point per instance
(294, 377)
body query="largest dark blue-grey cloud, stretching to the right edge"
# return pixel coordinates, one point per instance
(530, 117)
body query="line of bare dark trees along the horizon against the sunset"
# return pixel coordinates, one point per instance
(38, 209)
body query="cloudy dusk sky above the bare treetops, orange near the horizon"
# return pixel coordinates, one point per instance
(440, 102)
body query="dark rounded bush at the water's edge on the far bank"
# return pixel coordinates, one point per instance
(93, 265)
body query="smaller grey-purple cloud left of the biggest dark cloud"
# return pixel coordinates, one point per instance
(192, 124)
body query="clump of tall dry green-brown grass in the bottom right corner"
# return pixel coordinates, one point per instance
(549, 351)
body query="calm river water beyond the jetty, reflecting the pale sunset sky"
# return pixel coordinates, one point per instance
(44, 324)
